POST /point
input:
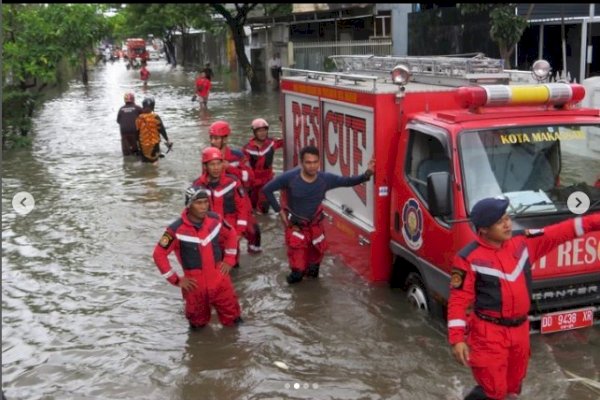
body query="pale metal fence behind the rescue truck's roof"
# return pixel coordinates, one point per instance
(314, 56)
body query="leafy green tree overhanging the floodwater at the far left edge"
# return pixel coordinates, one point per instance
(36, 37)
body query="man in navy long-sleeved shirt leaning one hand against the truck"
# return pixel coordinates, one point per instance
(304, 190)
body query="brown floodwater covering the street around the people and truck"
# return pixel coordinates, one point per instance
(87, 315)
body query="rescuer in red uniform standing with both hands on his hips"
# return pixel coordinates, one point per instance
(205, 246)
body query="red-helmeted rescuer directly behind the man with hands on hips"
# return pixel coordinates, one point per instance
(227, 196)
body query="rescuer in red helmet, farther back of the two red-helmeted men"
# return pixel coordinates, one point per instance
(235, 164)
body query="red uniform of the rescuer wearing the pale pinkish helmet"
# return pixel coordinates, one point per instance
(261, 160)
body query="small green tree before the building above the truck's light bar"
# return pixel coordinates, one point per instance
(506, 27)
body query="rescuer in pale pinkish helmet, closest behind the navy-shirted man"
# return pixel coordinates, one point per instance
(260, 151)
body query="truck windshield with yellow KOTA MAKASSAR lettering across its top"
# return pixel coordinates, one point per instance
(536, 167)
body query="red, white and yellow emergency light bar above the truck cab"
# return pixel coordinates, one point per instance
(519, 95)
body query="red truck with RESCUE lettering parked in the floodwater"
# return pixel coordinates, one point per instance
(445, 133)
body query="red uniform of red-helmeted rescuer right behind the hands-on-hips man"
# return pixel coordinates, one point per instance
(227, 198)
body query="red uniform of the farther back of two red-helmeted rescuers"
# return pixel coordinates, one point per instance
(239, 168)
